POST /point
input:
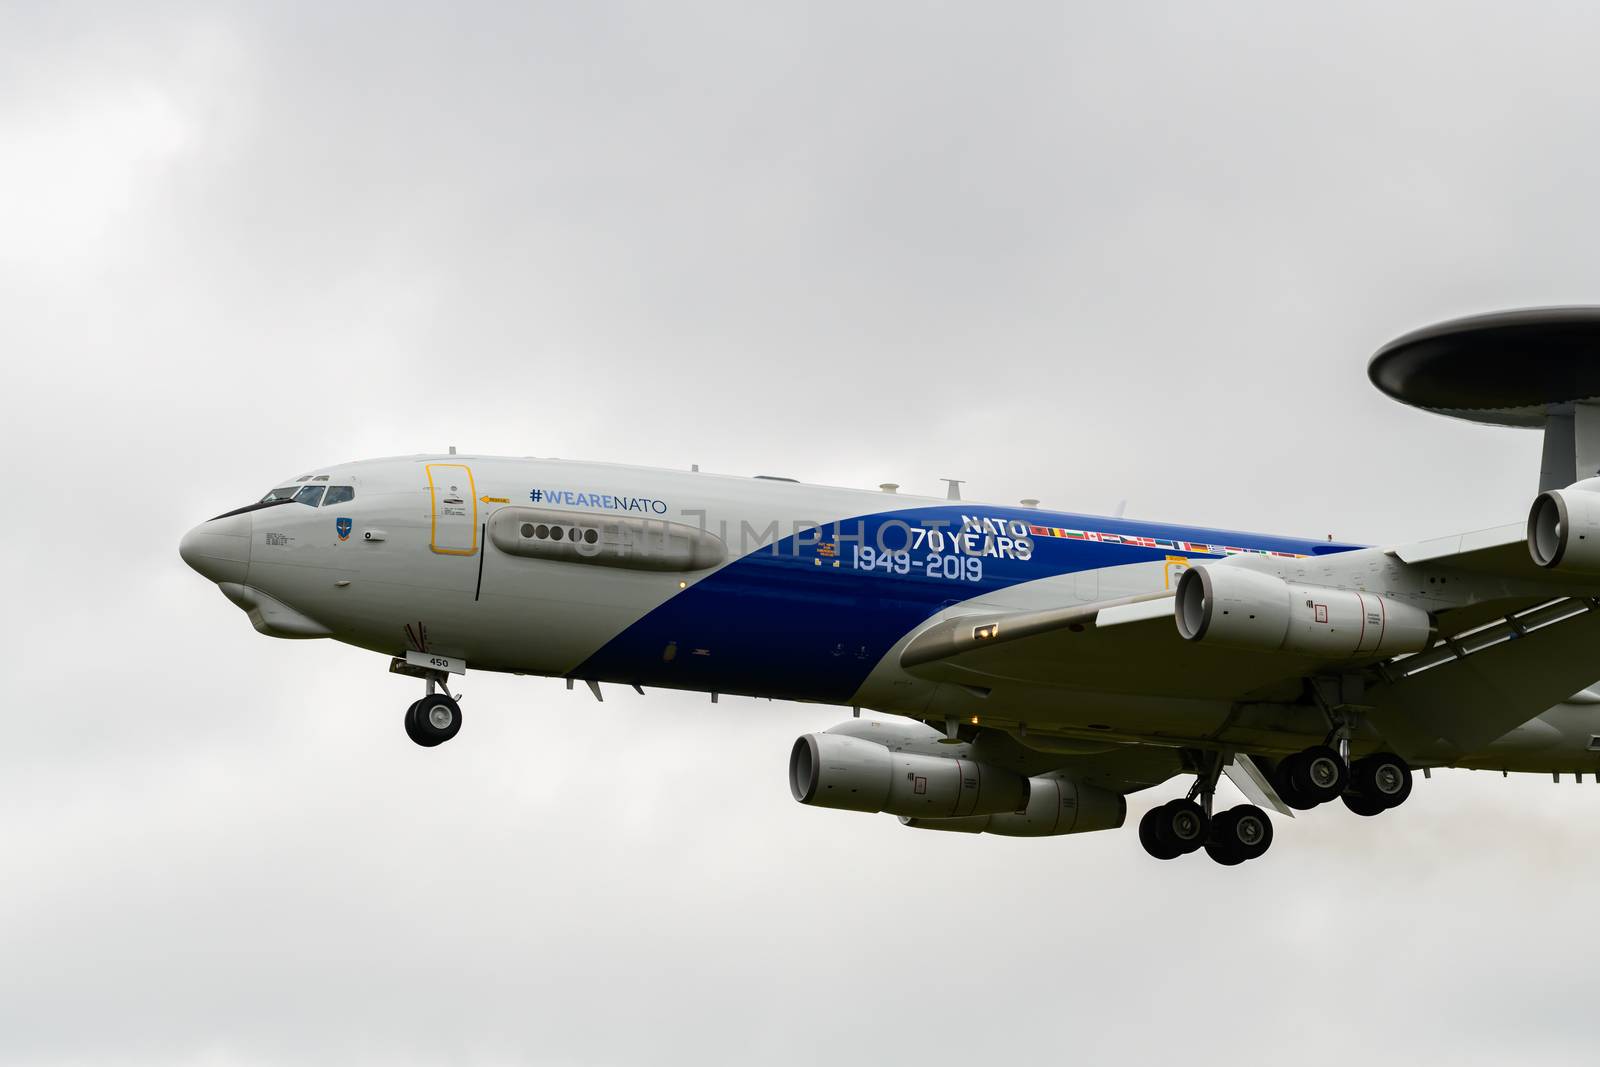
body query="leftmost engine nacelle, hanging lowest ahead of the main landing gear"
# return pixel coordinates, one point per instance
(841, 772)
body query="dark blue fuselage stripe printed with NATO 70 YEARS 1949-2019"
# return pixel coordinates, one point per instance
(801, 620)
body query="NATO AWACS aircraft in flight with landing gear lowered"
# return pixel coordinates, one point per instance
(1044, 665)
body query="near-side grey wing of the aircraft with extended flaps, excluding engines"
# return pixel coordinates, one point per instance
(1527, 645)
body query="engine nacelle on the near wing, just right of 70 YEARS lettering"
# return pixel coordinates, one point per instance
(1244, 609)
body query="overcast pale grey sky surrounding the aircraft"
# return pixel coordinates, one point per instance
(1084, 254)
